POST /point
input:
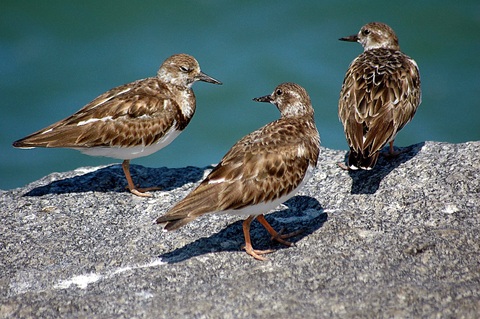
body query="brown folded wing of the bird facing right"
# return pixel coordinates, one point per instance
(131, 114)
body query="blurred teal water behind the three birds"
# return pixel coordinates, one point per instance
(56, 56)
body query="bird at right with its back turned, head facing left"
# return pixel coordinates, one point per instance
(380, 95)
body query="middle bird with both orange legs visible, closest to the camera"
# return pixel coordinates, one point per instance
(262, 170)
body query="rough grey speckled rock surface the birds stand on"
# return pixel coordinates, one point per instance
(400, 241)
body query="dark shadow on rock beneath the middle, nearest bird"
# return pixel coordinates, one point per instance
(303, 214)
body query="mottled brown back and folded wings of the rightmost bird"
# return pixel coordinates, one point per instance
(378, 99)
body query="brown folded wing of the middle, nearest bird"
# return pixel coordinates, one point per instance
(261, 167)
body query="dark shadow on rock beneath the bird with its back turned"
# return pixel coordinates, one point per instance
(368, 182)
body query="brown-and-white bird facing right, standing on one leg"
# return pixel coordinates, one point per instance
(132, 120)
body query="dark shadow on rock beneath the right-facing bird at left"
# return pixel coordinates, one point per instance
(112, 179)
